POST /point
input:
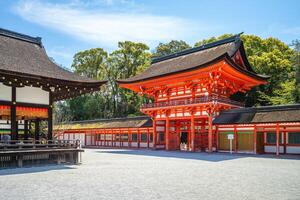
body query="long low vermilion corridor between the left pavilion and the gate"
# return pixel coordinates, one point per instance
(131, 132)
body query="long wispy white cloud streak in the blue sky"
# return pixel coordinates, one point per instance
(101, 26)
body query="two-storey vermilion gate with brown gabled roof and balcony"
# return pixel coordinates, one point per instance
(190, 88)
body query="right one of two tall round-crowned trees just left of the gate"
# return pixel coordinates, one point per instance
(130, 59)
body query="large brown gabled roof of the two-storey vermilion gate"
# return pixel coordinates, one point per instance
(195, 58)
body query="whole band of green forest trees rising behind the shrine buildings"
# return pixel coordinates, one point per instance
(267, 56)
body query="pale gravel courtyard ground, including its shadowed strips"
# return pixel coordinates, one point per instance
(145, 174)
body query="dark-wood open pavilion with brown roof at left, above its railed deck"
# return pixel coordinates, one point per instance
(29, 84)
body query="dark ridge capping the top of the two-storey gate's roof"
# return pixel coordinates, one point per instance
(234, 38)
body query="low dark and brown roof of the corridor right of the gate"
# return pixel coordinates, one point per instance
(265, 114)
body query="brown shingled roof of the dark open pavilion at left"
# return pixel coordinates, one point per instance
(24, 57)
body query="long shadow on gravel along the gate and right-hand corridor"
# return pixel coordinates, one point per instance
(214, 157)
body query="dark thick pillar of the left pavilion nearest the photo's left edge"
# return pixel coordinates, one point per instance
(13, 115)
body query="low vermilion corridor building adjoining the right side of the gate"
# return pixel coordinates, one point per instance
(268, 129)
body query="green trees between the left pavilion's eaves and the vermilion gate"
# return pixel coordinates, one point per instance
(112, 101)
